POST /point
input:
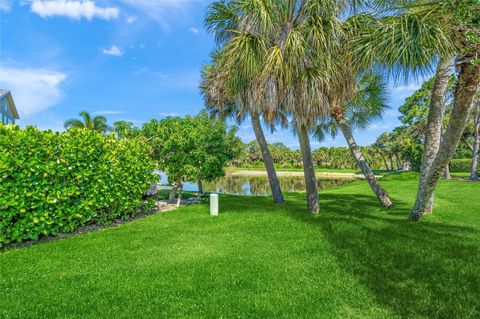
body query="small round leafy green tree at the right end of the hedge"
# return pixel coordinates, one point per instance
(190, 149)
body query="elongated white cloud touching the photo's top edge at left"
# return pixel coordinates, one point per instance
(74, 9)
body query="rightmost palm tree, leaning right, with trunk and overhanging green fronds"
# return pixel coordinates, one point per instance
(415, 35)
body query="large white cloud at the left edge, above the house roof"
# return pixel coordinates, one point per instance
(33, 89)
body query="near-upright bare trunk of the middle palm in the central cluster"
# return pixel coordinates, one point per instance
(308, 170)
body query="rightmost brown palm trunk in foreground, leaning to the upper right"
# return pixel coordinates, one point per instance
(468, 80)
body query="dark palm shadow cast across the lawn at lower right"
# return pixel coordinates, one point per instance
(428, 269)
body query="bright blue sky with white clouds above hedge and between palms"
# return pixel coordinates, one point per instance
(126, 59)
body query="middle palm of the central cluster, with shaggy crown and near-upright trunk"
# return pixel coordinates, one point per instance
(271, 53)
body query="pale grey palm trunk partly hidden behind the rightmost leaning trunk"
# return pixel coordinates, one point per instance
(433, 132)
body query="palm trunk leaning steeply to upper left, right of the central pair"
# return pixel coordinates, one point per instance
(362, 163)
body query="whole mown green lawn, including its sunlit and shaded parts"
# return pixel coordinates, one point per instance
(354, 260)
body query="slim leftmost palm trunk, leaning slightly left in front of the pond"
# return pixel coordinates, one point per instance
(267, 160)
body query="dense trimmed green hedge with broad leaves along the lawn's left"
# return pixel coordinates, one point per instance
(55, 182)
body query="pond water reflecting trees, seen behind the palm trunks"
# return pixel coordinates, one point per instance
(259, 185)
